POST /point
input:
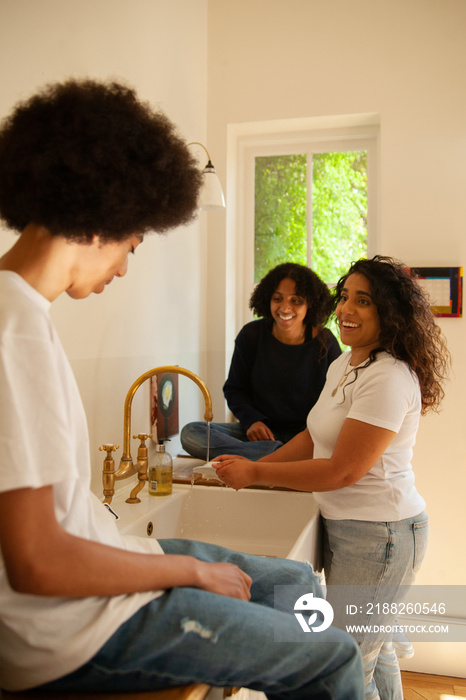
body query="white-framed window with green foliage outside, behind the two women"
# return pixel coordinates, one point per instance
(305, 190)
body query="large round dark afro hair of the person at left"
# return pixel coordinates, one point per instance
(86, 157)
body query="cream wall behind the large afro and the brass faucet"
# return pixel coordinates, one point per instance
(156, 315)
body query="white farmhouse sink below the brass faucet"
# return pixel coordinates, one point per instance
(256, 521)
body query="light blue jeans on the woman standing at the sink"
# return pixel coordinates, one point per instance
(386, 557)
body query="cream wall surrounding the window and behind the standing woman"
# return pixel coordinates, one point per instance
(406, 61)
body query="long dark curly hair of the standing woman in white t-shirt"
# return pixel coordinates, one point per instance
(408, 330)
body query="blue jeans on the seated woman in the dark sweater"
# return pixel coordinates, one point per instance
(225, 438)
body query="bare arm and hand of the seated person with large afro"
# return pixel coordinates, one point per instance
(46, 560)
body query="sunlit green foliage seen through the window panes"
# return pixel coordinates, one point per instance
(339, 212)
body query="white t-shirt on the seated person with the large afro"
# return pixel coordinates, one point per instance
(43, 441)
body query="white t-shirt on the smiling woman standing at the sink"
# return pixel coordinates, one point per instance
(385, 394)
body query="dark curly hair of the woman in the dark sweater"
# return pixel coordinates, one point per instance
(308, 285)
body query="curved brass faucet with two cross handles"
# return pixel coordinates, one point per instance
(127, 467)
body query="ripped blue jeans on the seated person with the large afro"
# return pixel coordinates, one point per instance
(191, 636)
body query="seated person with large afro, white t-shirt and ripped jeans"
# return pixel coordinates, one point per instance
(86, 170)
